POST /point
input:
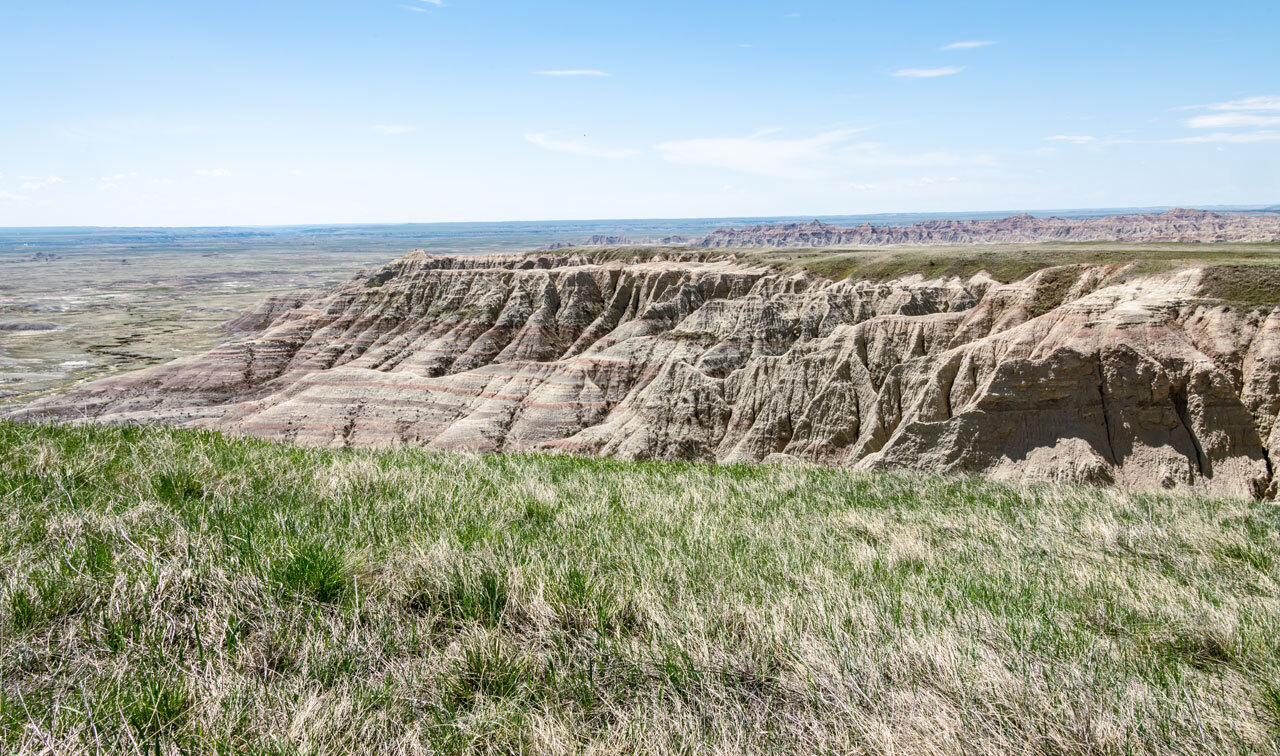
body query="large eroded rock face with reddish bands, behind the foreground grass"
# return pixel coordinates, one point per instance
(1082, 374)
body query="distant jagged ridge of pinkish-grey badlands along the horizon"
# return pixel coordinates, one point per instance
(1174, 226)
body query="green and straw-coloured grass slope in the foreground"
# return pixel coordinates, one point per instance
(168, 590)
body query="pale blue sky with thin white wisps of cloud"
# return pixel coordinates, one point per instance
(231, 112)
